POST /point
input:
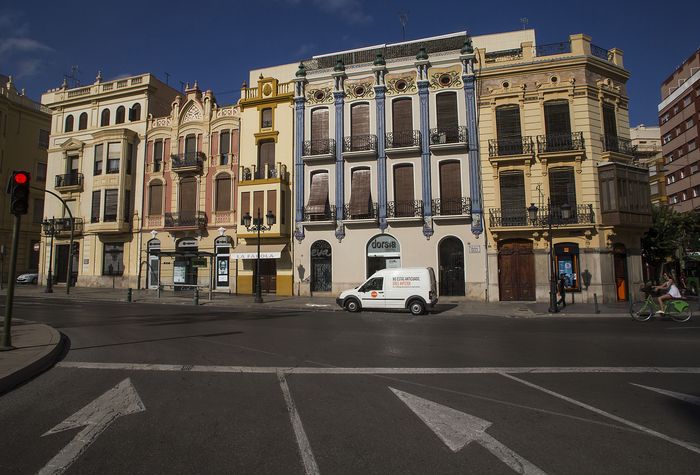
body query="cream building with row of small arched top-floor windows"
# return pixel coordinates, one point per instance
(96, 158)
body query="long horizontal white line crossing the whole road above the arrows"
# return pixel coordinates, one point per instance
(373, 370)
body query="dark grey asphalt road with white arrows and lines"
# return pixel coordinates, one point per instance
(179, 389)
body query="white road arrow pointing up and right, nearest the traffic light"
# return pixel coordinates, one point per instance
(119, 401)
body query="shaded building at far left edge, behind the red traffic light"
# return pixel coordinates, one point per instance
(24, 138)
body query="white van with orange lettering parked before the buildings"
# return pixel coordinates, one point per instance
(405, 288)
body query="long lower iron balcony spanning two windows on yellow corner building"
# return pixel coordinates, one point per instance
(518, 217)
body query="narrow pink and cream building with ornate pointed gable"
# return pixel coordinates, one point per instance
(190, 196)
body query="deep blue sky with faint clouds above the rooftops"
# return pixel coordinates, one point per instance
(218, 42)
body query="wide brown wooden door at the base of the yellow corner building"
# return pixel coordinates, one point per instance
(516, 270)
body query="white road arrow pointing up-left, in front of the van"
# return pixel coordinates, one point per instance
(457, 429)
